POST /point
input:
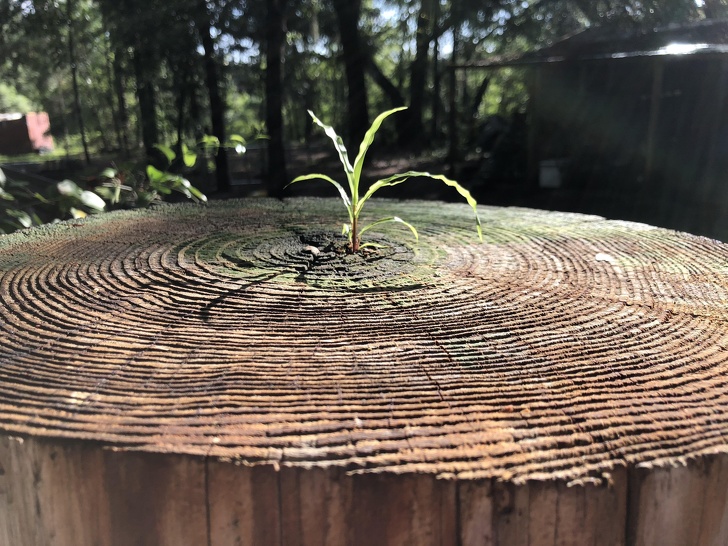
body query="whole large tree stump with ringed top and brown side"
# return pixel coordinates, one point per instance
(222, 375)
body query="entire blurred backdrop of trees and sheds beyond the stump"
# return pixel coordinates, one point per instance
(617, 108)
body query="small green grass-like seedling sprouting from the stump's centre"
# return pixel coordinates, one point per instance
(354, 202)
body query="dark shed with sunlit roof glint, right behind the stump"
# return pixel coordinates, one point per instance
(633, 124)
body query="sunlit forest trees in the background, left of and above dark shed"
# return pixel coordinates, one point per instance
(118, 77)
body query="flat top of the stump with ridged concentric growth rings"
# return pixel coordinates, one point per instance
(564, 347)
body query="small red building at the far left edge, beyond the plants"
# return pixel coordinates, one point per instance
(25, 133)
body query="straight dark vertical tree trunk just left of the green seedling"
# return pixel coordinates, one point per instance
(275, 33)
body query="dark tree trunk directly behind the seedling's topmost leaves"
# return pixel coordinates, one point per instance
(355, 64)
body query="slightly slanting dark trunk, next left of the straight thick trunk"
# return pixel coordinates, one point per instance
(217, 104)
